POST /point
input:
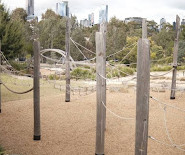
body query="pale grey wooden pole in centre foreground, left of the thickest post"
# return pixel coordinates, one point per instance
(101, 92)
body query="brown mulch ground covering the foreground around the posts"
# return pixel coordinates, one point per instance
(69, 128)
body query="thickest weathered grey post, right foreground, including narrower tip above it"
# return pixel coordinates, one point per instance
(142, 93)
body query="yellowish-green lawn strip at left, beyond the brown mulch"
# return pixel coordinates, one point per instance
(47, 88)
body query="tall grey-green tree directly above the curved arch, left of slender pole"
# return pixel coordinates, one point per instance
(52, 30)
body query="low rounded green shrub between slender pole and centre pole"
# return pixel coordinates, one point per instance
(81, 73)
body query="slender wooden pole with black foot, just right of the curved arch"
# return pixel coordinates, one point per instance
(67, 99)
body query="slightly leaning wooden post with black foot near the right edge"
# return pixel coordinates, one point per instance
(175, 56)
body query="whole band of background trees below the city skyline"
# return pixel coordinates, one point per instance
(16, 35)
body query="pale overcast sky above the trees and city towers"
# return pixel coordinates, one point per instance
(150, 9)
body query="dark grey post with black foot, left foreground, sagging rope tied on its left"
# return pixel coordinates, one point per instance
(37, 132)
